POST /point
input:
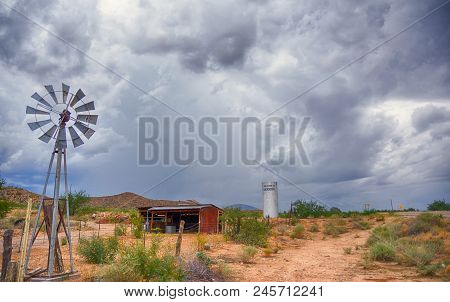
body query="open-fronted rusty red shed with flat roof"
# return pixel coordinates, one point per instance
(203, 218)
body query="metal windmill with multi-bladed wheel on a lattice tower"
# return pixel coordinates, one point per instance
(54, 114)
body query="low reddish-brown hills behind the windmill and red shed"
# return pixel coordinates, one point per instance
(122, 200)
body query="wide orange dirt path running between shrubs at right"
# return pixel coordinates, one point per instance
(318, 260)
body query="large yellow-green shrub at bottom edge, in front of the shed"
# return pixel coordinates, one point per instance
(136, 263)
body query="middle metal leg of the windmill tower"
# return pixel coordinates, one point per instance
(54, 232)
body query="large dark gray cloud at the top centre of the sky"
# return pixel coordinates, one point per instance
(223, 38)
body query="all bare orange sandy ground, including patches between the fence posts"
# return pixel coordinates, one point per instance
(316, 258)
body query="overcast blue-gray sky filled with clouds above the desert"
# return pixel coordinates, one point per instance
(379, 130)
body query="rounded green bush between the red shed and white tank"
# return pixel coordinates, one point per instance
(253, 232)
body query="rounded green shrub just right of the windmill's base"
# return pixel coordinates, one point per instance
(98, 250)
